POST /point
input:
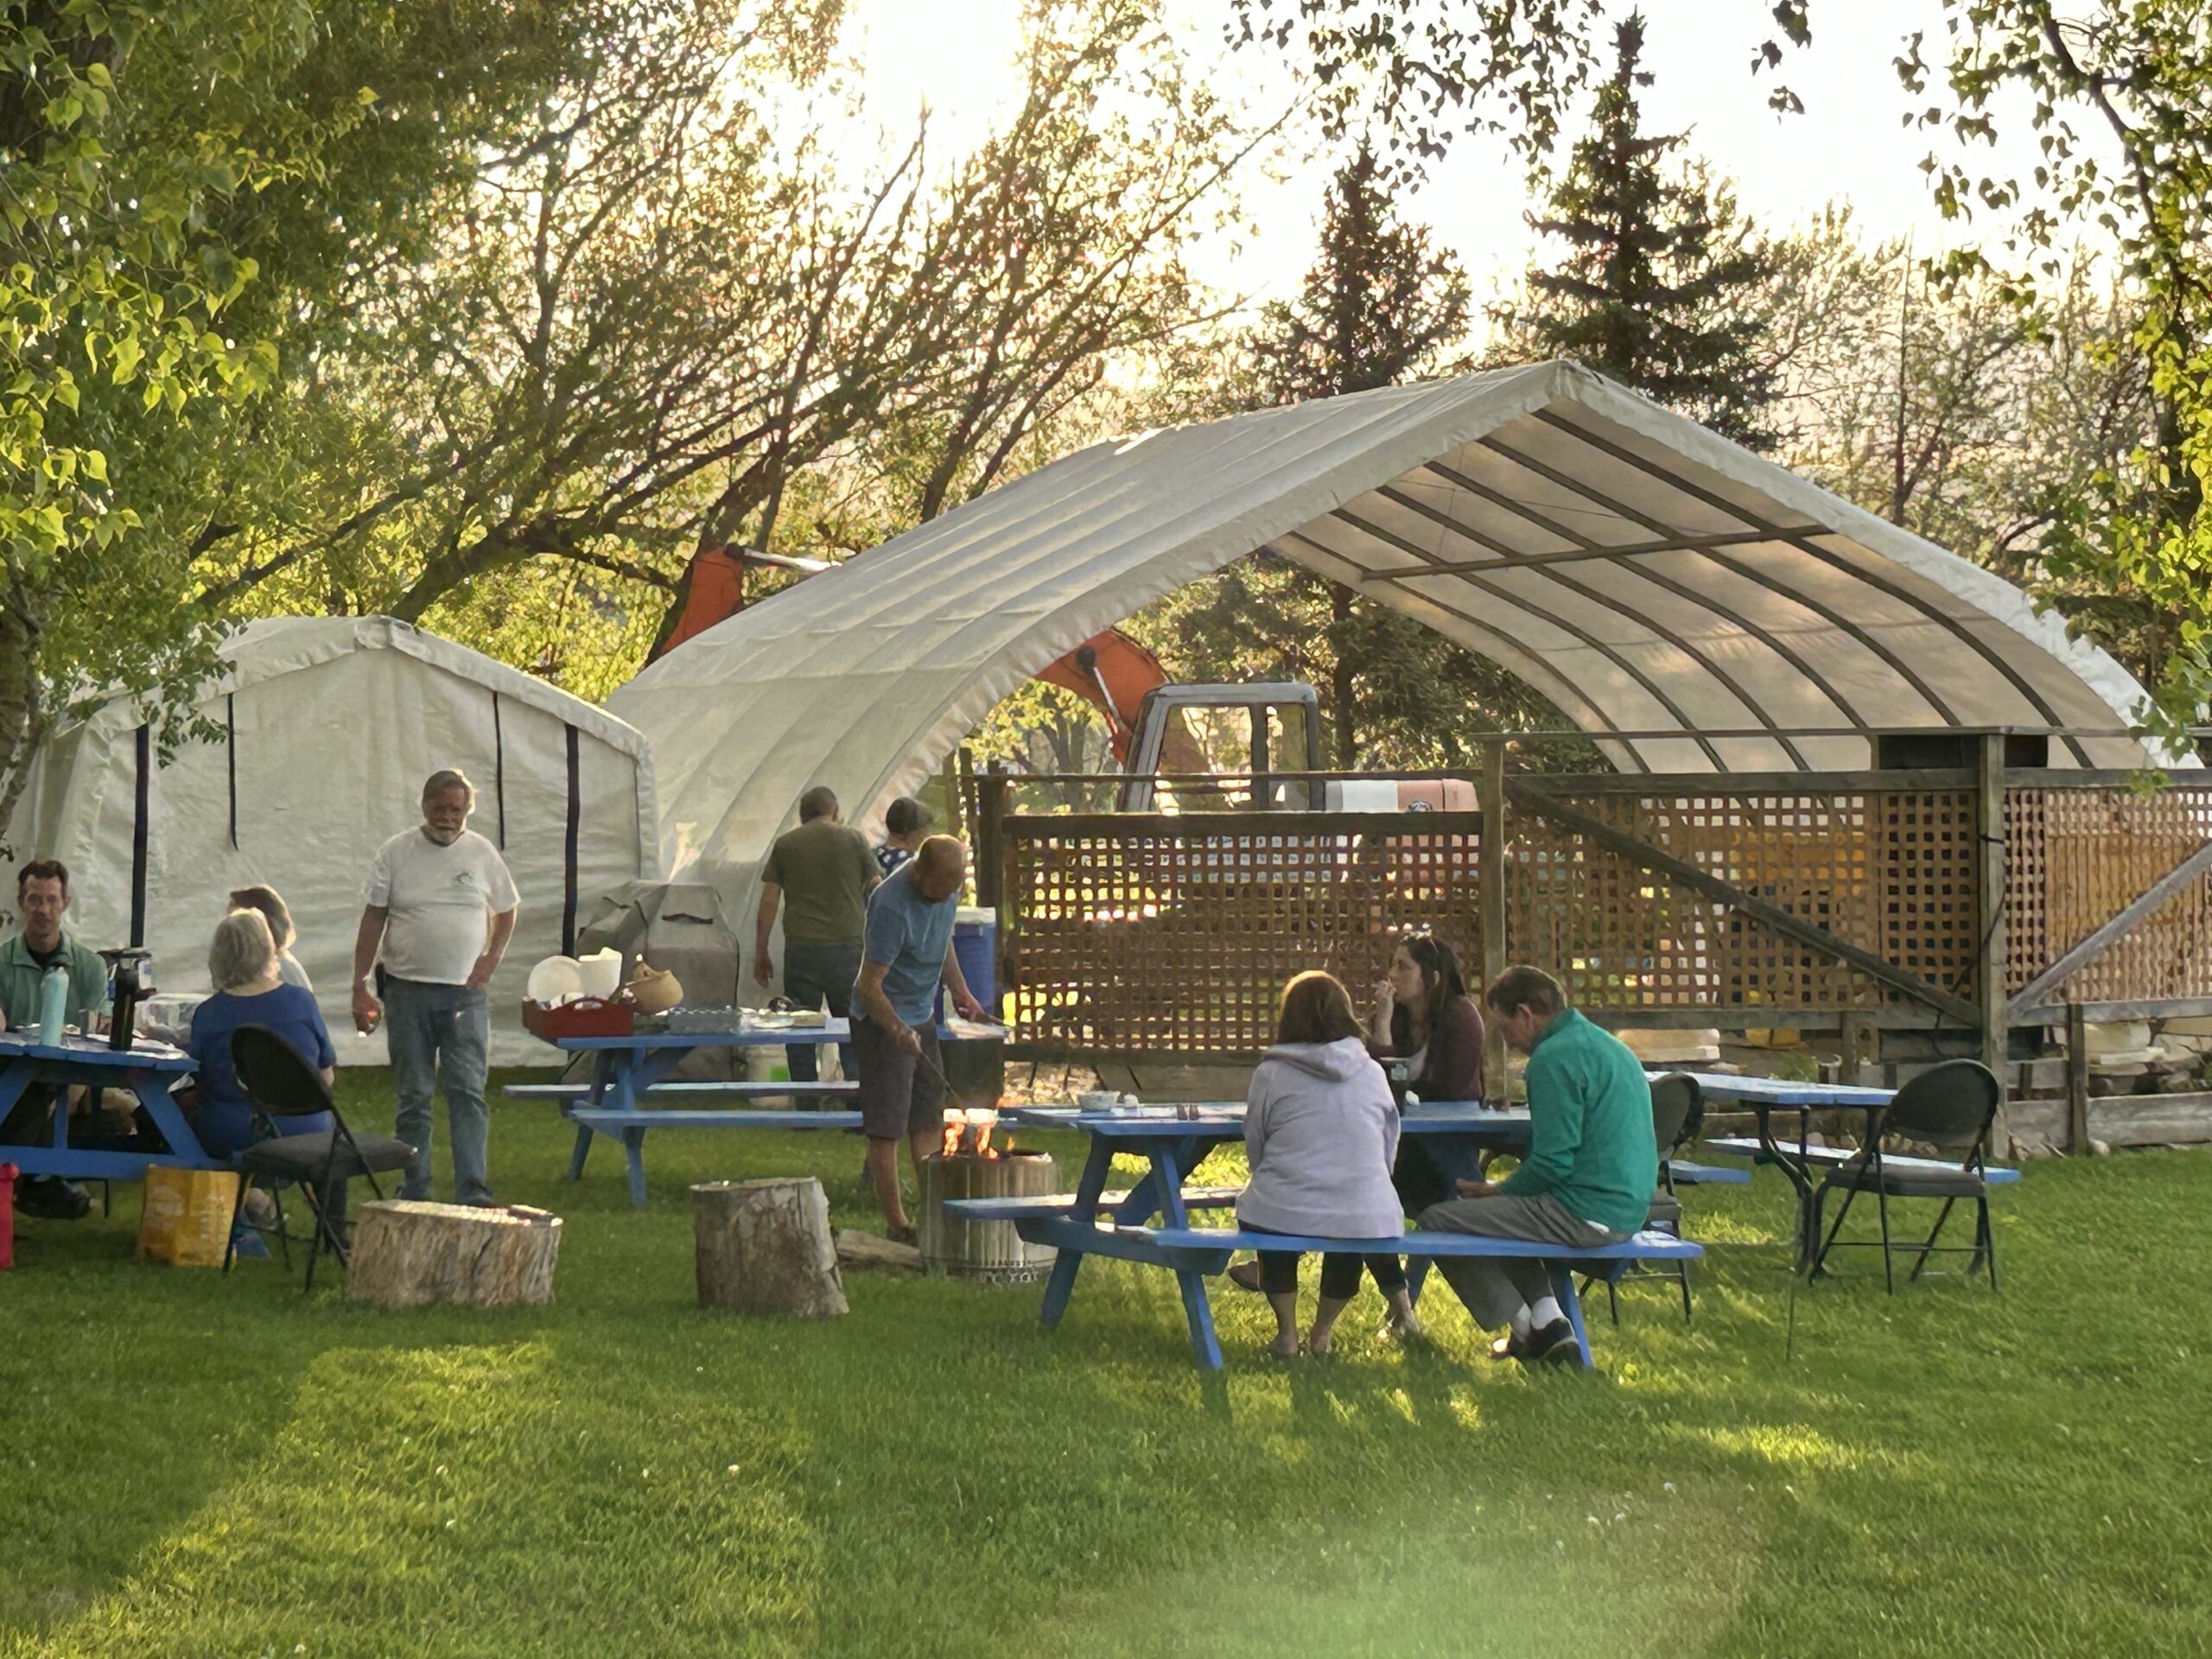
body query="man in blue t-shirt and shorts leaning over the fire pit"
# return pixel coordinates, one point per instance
(895, 1032)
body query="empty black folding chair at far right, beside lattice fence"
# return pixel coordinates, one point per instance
(1950, 1107)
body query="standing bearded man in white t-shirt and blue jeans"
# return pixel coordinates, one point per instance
(441, 908)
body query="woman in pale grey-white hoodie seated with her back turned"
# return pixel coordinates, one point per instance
(1322, 1134)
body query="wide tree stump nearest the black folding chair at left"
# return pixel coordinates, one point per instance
(408, 1255)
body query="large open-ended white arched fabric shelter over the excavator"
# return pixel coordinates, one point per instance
(1687, 603)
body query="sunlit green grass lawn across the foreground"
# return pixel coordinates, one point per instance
(227, 1468)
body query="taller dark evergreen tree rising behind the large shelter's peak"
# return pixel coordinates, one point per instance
(1660, 284)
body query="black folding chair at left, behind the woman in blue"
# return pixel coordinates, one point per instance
(280, 1083)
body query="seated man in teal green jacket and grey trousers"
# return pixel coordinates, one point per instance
(1587, 1178)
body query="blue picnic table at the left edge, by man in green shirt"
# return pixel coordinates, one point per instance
(147, 1072)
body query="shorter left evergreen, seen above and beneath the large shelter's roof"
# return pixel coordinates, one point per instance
(1379, 306)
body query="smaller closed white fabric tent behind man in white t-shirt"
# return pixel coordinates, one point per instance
(324, 733)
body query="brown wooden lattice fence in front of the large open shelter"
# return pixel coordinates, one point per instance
(1176, 935)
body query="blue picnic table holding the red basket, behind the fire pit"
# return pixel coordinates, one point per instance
(627, 1070)
